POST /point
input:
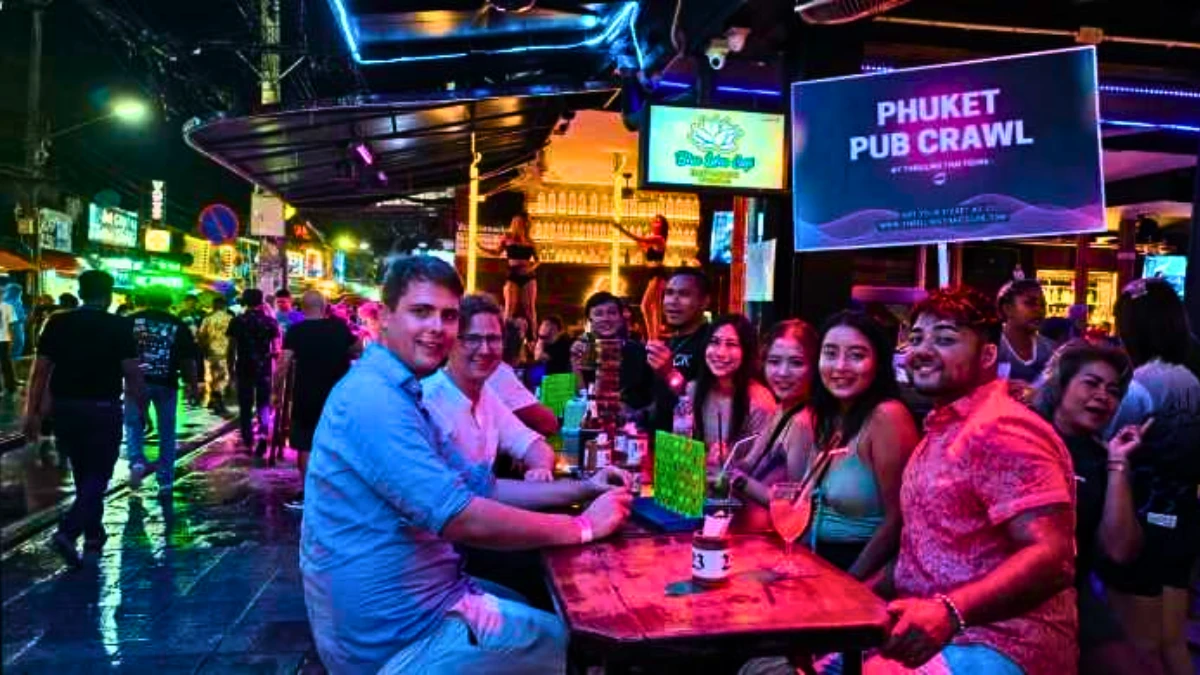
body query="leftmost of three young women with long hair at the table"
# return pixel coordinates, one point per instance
(729, 404)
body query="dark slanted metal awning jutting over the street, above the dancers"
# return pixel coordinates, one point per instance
(364, 152)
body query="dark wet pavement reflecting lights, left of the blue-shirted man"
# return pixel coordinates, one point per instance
(206, 582)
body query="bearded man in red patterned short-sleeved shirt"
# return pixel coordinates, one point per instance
(987, 554)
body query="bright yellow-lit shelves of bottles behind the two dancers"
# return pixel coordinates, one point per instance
(573, 225)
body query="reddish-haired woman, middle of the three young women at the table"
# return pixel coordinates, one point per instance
(790, 359)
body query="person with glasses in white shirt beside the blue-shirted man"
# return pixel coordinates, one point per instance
(471, 414)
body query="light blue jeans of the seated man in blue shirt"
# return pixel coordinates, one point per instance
(485, 634)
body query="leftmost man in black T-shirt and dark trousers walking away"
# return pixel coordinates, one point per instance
(83, 360)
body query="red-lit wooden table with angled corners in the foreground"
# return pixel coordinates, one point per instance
(631, 600)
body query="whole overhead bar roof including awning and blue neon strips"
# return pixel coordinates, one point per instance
(429, 73)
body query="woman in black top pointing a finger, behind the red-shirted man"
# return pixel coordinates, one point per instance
(1081, 395)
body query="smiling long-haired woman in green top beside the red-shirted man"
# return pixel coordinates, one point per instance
(856, 438)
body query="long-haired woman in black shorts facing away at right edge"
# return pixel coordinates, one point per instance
(1150, 594)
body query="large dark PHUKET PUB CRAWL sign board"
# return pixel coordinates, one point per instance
(975, 151)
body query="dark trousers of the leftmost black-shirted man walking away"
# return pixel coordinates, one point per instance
(89, 433)
